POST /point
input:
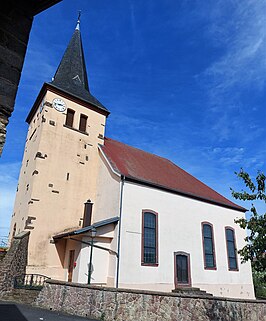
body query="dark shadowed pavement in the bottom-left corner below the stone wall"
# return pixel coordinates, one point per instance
(10, 311)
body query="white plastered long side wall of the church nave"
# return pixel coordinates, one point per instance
(179, 229)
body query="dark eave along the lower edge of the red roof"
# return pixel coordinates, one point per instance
(161, 187)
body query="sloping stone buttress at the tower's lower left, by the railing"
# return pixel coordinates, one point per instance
(14, 263)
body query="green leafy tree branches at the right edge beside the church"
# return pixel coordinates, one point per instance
(255, 249)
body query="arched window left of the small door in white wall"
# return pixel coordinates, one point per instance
(149, 238)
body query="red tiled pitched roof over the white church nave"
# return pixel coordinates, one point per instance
(151, 169)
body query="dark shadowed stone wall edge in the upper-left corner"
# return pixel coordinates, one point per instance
(15, 26)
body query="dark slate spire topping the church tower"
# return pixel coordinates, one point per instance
(71, 74)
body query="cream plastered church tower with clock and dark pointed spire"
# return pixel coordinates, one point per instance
(60, 162)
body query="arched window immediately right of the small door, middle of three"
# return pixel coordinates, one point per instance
(208, 246)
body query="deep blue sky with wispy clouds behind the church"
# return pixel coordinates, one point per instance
(182, 79)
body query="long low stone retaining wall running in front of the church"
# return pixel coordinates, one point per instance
(110, 304)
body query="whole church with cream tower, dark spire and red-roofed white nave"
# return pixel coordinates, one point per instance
(102, 212)
